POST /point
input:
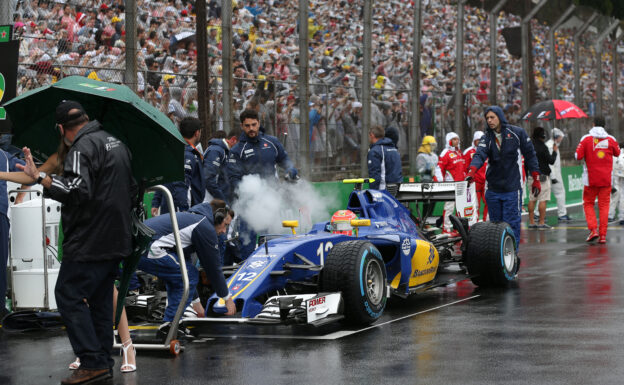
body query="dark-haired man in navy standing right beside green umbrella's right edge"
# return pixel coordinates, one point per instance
(191, 191)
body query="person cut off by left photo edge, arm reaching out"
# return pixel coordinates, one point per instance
(8, 163)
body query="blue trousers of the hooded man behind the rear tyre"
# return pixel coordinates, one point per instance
(506, 207)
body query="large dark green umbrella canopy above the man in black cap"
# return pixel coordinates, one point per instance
(156, 145)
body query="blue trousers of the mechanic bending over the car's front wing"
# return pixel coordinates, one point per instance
(167, 269)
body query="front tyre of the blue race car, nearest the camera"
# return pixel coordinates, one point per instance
(356, 269)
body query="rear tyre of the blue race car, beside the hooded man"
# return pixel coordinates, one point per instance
(491, 254)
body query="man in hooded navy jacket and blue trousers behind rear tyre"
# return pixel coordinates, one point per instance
(503, 146)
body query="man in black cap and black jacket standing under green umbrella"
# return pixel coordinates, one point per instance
(97, 191)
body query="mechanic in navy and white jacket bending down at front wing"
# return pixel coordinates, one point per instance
(199, 227)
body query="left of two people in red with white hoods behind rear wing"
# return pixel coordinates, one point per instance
(451, 167)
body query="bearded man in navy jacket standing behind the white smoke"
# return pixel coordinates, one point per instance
(255, 153)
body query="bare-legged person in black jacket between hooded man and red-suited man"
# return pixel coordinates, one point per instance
(544, 160)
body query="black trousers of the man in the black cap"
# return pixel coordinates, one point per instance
(84, 296)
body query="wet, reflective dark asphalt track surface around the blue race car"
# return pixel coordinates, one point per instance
(561, 323)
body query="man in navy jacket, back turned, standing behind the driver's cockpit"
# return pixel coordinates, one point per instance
(384, 161)
